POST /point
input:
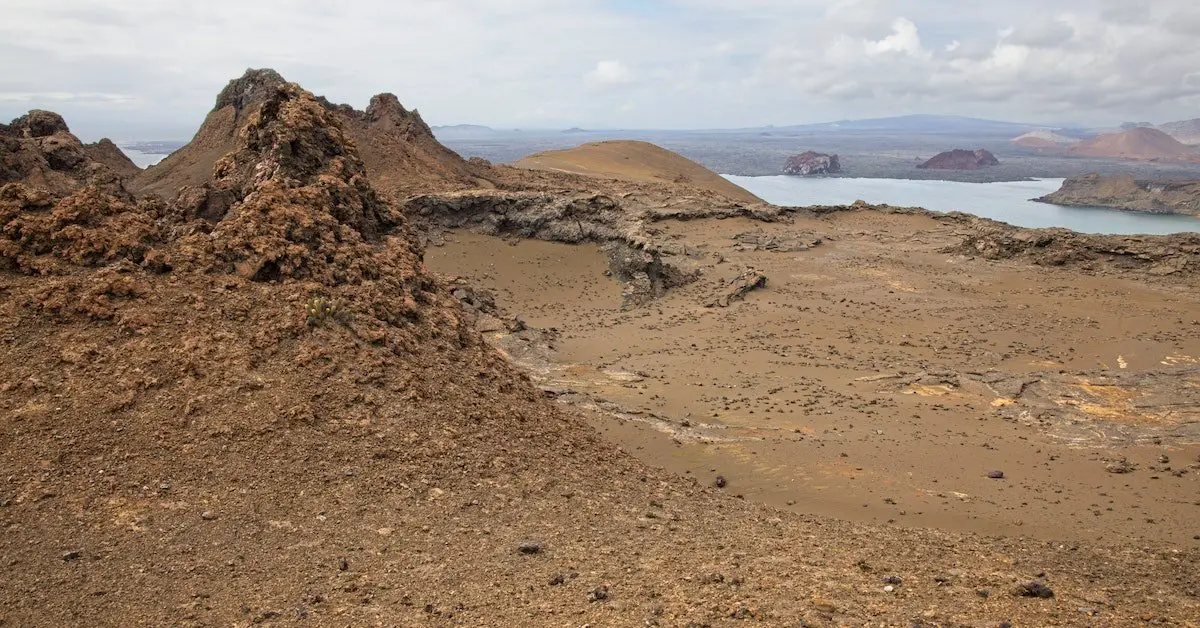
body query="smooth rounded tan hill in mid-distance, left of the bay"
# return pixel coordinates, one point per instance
(635, 162)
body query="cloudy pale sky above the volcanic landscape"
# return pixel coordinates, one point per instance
(152, 69)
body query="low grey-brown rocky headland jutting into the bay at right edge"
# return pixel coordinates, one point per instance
(1126, 193)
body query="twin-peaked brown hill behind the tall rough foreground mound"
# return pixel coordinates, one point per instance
(397, 146)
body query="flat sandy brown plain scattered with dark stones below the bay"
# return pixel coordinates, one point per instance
(877, 379)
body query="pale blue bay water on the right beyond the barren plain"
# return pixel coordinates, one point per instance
(1007, 202)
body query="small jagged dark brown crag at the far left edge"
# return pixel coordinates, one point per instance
(40, 149)
